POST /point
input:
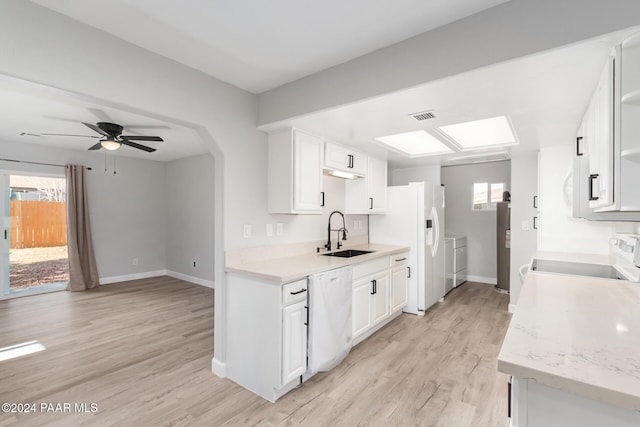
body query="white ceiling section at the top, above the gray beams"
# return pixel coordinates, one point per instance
(259, 45)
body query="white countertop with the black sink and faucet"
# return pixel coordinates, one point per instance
(288, 269)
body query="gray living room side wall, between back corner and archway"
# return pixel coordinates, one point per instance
(189, 216)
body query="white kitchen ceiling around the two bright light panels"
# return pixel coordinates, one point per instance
(543, 95)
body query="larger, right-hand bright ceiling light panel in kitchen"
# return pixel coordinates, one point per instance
(481, 133)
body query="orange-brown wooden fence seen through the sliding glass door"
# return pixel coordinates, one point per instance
(36, 224)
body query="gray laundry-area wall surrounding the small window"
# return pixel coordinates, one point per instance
(478, 226)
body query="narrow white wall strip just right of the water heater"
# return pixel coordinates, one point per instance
(524, 239)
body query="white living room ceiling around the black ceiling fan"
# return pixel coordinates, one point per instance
(35, 109)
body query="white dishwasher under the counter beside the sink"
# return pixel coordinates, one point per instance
(330, 328)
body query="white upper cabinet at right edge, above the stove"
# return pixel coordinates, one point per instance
(607, 165)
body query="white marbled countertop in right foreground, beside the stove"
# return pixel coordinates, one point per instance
(577, 334)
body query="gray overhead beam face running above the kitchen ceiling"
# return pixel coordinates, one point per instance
(511, 30)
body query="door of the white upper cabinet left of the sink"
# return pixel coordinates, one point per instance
(307, 173)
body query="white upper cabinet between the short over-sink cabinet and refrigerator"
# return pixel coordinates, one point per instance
(368, 195)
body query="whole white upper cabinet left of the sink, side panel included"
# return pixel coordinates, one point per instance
(295, 173)
